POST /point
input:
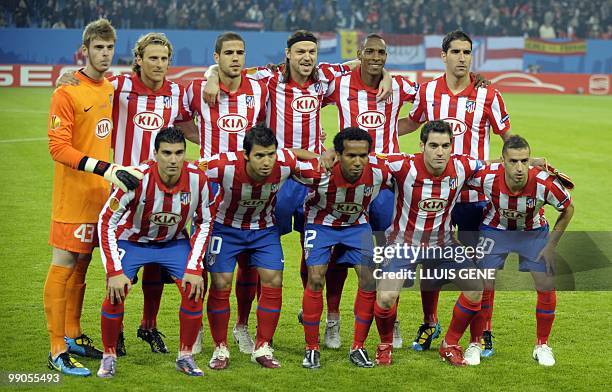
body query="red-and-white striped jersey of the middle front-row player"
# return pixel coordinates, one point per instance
(333, 201)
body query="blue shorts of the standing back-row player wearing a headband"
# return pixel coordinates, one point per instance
(290, 205)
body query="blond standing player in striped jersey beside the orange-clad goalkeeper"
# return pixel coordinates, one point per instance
(145, 102)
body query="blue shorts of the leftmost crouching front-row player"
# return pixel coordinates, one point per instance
(170, 255)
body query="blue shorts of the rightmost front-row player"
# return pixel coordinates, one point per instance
(499, 243)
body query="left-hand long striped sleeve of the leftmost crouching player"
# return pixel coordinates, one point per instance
(112, 212)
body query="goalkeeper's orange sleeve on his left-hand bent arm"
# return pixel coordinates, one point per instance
(60, 127)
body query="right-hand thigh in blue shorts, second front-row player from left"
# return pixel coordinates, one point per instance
(265, 249)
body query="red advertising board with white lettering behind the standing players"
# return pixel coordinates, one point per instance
(16, 75)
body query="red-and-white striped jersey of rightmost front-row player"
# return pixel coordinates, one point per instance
(523, 210)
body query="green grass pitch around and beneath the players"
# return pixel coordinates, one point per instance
(574, 132)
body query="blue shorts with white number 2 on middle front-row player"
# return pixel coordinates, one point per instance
(354, 244)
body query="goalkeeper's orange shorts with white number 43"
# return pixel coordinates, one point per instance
(74, 237)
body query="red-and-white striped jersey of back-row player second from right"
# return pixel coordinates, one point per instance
(357, 107)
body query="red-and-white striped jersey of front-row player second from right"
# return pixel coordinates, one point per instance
(423, 202)
